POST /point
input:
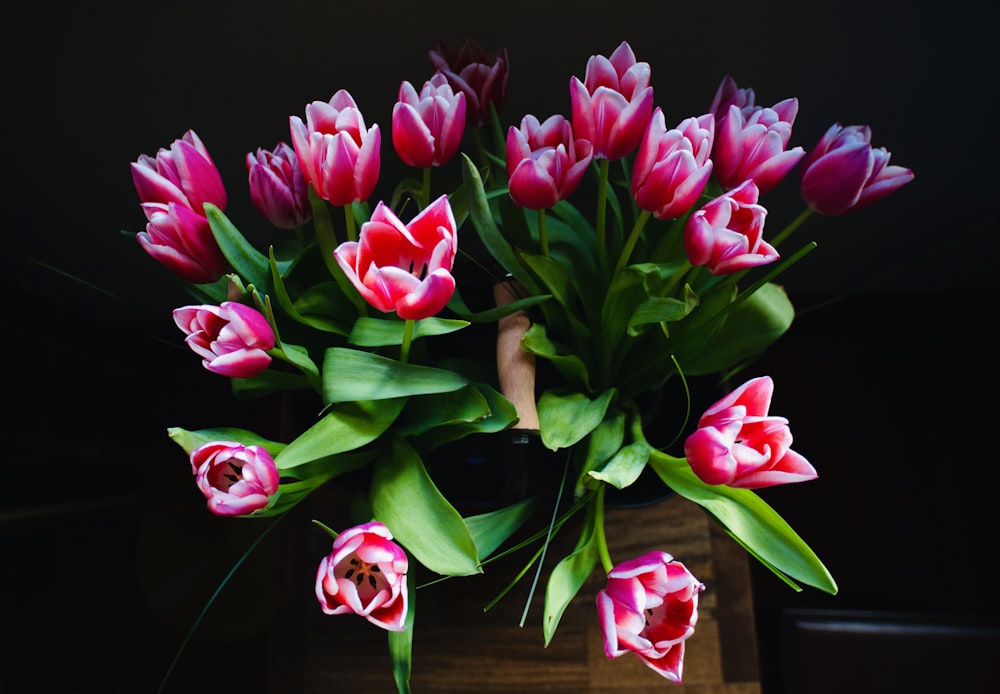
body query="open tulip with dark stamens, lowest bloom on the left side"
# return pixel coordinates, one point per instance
(365, 574)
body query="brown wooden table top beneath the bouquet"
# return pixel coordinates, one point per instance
(458, 648)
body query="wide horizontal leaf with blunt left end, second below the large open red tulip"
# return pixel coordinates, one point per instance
(350, 374)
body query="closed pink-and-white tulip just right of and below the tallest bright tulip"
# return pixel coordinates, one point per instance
(672, 166)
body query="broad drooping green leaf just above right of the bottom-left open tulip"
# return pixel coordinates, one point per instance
(404, 497)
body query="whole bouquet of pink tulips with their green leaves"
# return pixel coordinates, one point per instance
(639, 258)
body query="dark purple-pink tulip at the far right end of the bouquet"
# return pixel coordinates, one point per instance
(844, 172)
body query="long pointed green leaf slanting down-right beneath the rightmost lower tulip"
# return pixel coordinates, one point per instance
(750, 521)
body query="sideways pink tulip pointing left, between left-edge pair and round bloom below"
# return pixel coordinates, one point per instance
(232, 338)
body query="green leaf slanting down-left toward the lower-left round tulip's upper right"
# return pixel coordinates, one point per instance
(345, 427)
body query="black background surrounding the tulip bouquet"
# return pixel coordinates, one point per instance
(890, 389)
